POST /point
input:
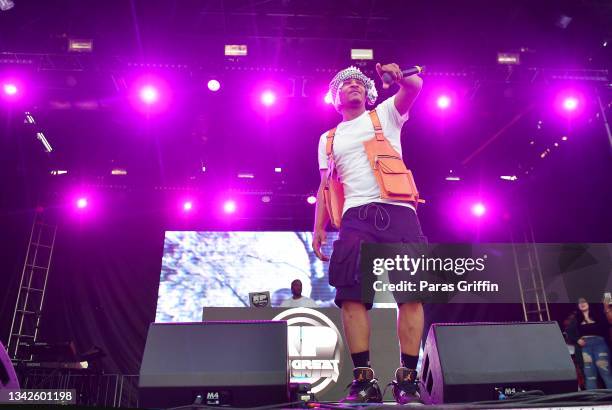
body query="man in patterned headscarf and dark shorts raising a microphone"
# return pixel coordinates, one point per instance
(366, 217)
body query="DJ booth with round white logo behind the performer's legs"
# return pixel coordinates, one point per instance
(318, 353)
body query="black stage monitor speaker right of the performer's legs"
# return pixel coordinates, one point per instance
(478, 361)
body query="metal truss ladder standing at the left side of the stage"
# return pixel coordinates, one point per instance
(32, 287)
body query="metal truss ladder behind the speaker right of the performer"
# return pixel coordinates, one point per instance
(529, 275)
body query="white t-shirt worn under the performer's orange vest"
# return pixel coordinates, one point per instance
(360, 186)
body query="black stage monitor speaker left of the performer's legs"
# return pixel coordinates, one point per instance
(238, 364)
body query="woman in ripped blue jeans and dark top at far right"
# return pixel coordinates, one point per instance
(592, 331)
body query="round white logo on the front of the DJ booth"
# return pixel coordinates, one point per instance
(315, 348)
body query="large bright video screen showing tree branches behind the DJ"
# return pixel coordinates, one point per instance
(219, 269)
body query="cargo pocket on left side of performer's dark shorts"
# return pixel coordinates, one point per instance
(344, 263)
